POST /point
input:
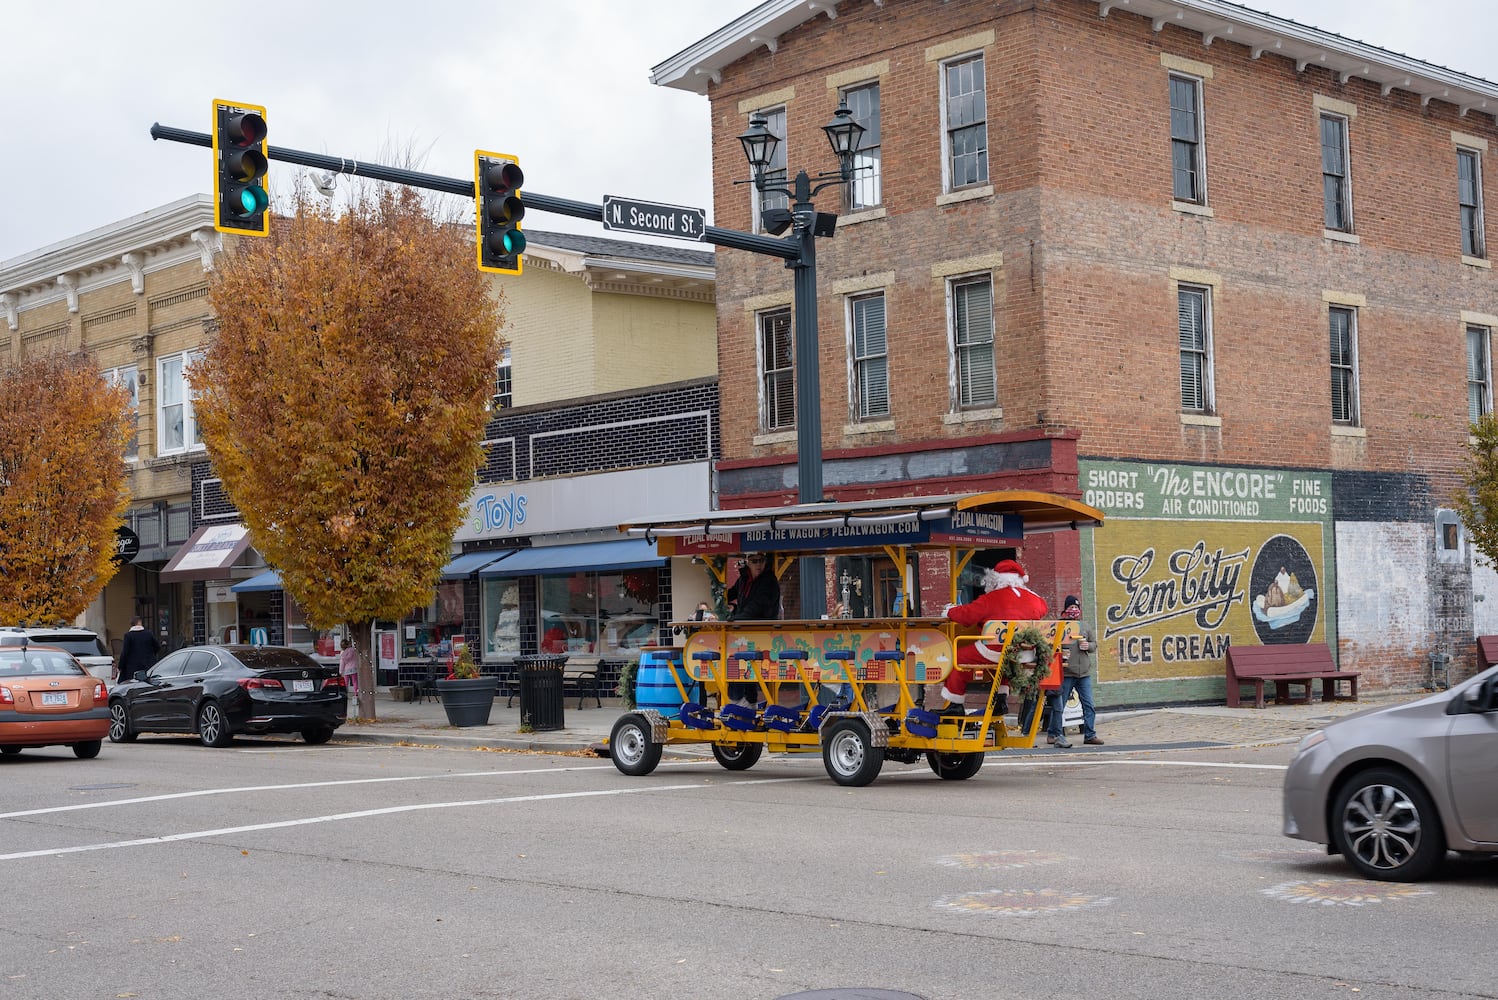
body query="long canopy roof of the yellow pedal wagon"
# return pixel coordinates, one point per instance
(952, 520)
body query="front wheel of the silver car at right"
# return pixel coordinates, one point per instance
(1386, 827)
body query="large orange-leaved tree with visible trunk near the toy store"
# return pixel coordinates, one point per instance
(344, 402)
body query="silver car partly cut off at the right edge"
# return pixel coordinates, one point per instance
(1394, 790)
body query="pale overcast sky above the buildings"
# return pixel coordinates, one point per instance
(564, 85)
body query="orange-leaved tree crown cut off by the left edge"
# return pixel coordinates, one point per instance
(64, 486)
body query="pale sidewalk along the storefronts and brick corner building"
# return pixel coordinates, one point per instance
(1130, 730)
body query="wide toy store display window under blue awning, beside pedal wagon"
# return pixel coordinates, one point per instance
(603, 615)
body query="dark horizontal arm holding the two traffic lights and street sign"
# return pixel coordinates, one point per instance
(787, 249)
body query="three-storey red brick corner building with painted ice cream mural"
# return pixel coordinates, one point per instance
(1214, 272)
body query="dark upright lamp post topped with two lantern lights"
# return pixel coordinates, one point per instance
(807, 224)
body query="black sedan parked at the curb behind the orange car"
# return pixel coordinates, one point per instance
(225, 691)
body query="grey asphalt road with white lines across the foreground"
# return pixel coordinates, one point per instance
(166, 871)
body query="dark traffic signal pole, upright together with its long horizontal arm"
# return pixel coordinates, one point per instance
(799, 251)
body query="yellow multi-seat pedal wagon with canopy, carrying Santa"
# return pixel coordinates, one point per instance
(849, 688)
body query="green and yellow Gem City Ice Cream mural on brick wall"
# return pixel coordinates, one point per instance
(1195, 559)
